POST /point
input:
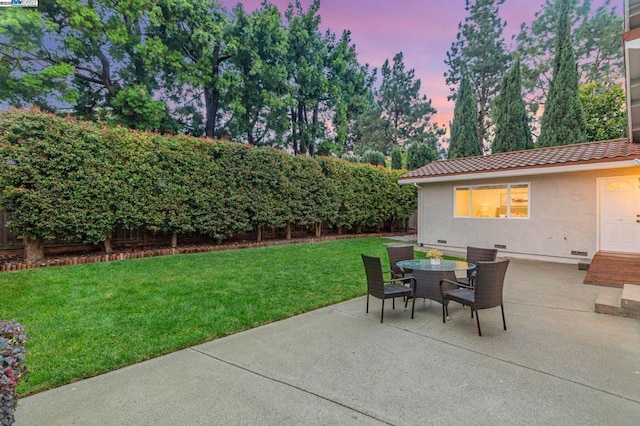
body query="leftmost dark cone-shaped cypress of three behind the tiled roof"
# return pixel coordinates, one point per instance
(464, 136)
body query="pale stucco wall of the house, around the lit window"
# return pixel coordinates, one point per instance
(563, 217)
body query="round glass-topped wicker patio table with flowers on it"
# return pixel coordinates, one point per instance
(427, 275)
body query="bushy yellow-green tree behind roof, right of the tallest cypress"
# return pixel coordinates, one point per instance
(604, 110)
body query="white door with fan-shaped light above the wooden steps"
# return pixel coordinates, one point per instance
(620, 214)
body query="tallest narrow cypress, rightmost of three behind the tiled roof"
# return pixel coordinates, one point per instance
(563, 119)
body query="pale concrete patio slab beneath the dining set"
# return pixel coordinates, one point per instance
(559, 363)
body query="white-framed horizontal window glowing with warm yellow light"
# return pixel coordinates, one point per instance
(501, 201)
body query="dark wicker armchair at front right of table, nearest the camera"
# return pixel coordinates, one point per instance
(486, 293)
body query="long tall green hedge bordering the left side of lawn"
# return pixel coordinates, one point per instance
(69, 179)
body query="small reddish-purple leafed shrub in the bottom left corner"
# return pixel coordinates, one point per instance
(12, 367)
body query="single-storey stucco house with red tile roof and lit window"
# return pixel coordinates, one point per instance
(561, 203)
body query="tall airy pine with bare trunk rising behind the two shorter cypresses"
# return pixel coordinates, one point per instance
(479, 51)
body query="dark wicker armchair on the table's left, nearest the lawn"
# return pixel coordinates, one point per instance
(389, 289)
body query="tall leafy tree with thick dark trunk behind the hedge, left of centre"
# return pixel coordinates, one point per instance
(188, 41)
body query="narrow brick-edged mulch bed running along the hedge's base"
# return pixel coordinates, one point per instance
(17, 263)
